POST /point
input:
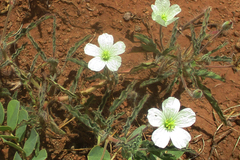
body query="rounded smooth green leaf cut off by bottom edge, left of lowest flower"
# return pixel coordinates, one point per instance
(96, 153)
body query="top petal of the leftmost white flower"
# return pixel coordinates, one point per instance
(105, 41)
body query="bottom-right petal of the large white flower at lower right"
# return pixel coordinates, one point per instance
(180, 137)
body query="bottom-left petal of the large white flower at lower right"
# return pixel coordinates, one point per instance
(161, 137)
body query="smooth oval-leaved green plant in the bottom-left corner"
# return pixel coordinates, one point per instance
(18, 135)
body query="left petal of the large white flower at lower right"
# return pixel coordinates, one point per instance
(155, 117)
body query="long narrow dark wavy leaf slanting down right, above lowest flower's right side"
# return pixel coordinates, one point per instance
(212, 101)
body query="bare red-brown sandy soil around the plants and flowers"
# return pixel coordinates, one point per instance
(78, 18)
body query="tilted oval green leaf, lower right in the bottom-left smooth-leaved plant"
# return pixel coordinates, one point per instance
(31, 142)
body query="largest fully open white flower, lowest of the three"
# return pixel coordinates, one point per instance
(170, 123)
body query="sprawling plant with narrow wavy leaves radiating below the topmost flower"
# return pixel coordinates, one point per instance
(181, 65)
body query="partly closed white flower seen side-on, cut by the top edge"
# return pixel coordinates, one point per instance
(163, 13)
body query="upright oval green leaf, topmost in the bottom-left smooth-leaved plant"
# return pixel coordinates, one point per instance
(12, 113)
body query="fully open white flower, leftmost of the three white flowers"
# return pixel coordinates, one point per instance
(106, 54)
